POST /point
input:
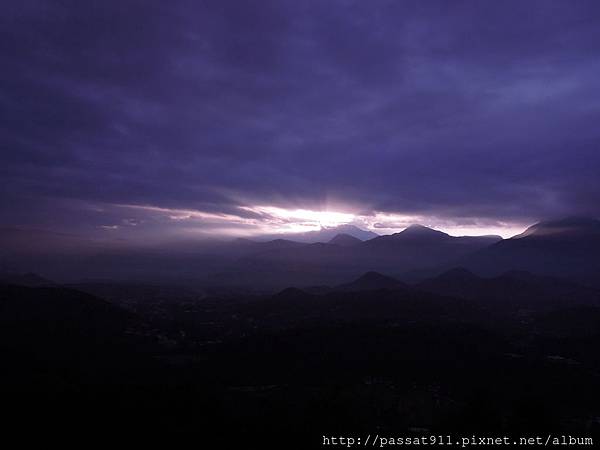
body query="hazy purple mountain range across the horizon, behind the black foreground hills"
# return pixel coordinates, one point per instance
(568, 248)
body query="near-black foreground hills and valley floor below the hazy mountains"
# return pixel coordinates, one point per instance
(255, 368)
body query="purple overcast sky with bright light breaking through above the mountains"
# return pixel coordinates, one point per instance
(150, 119)
